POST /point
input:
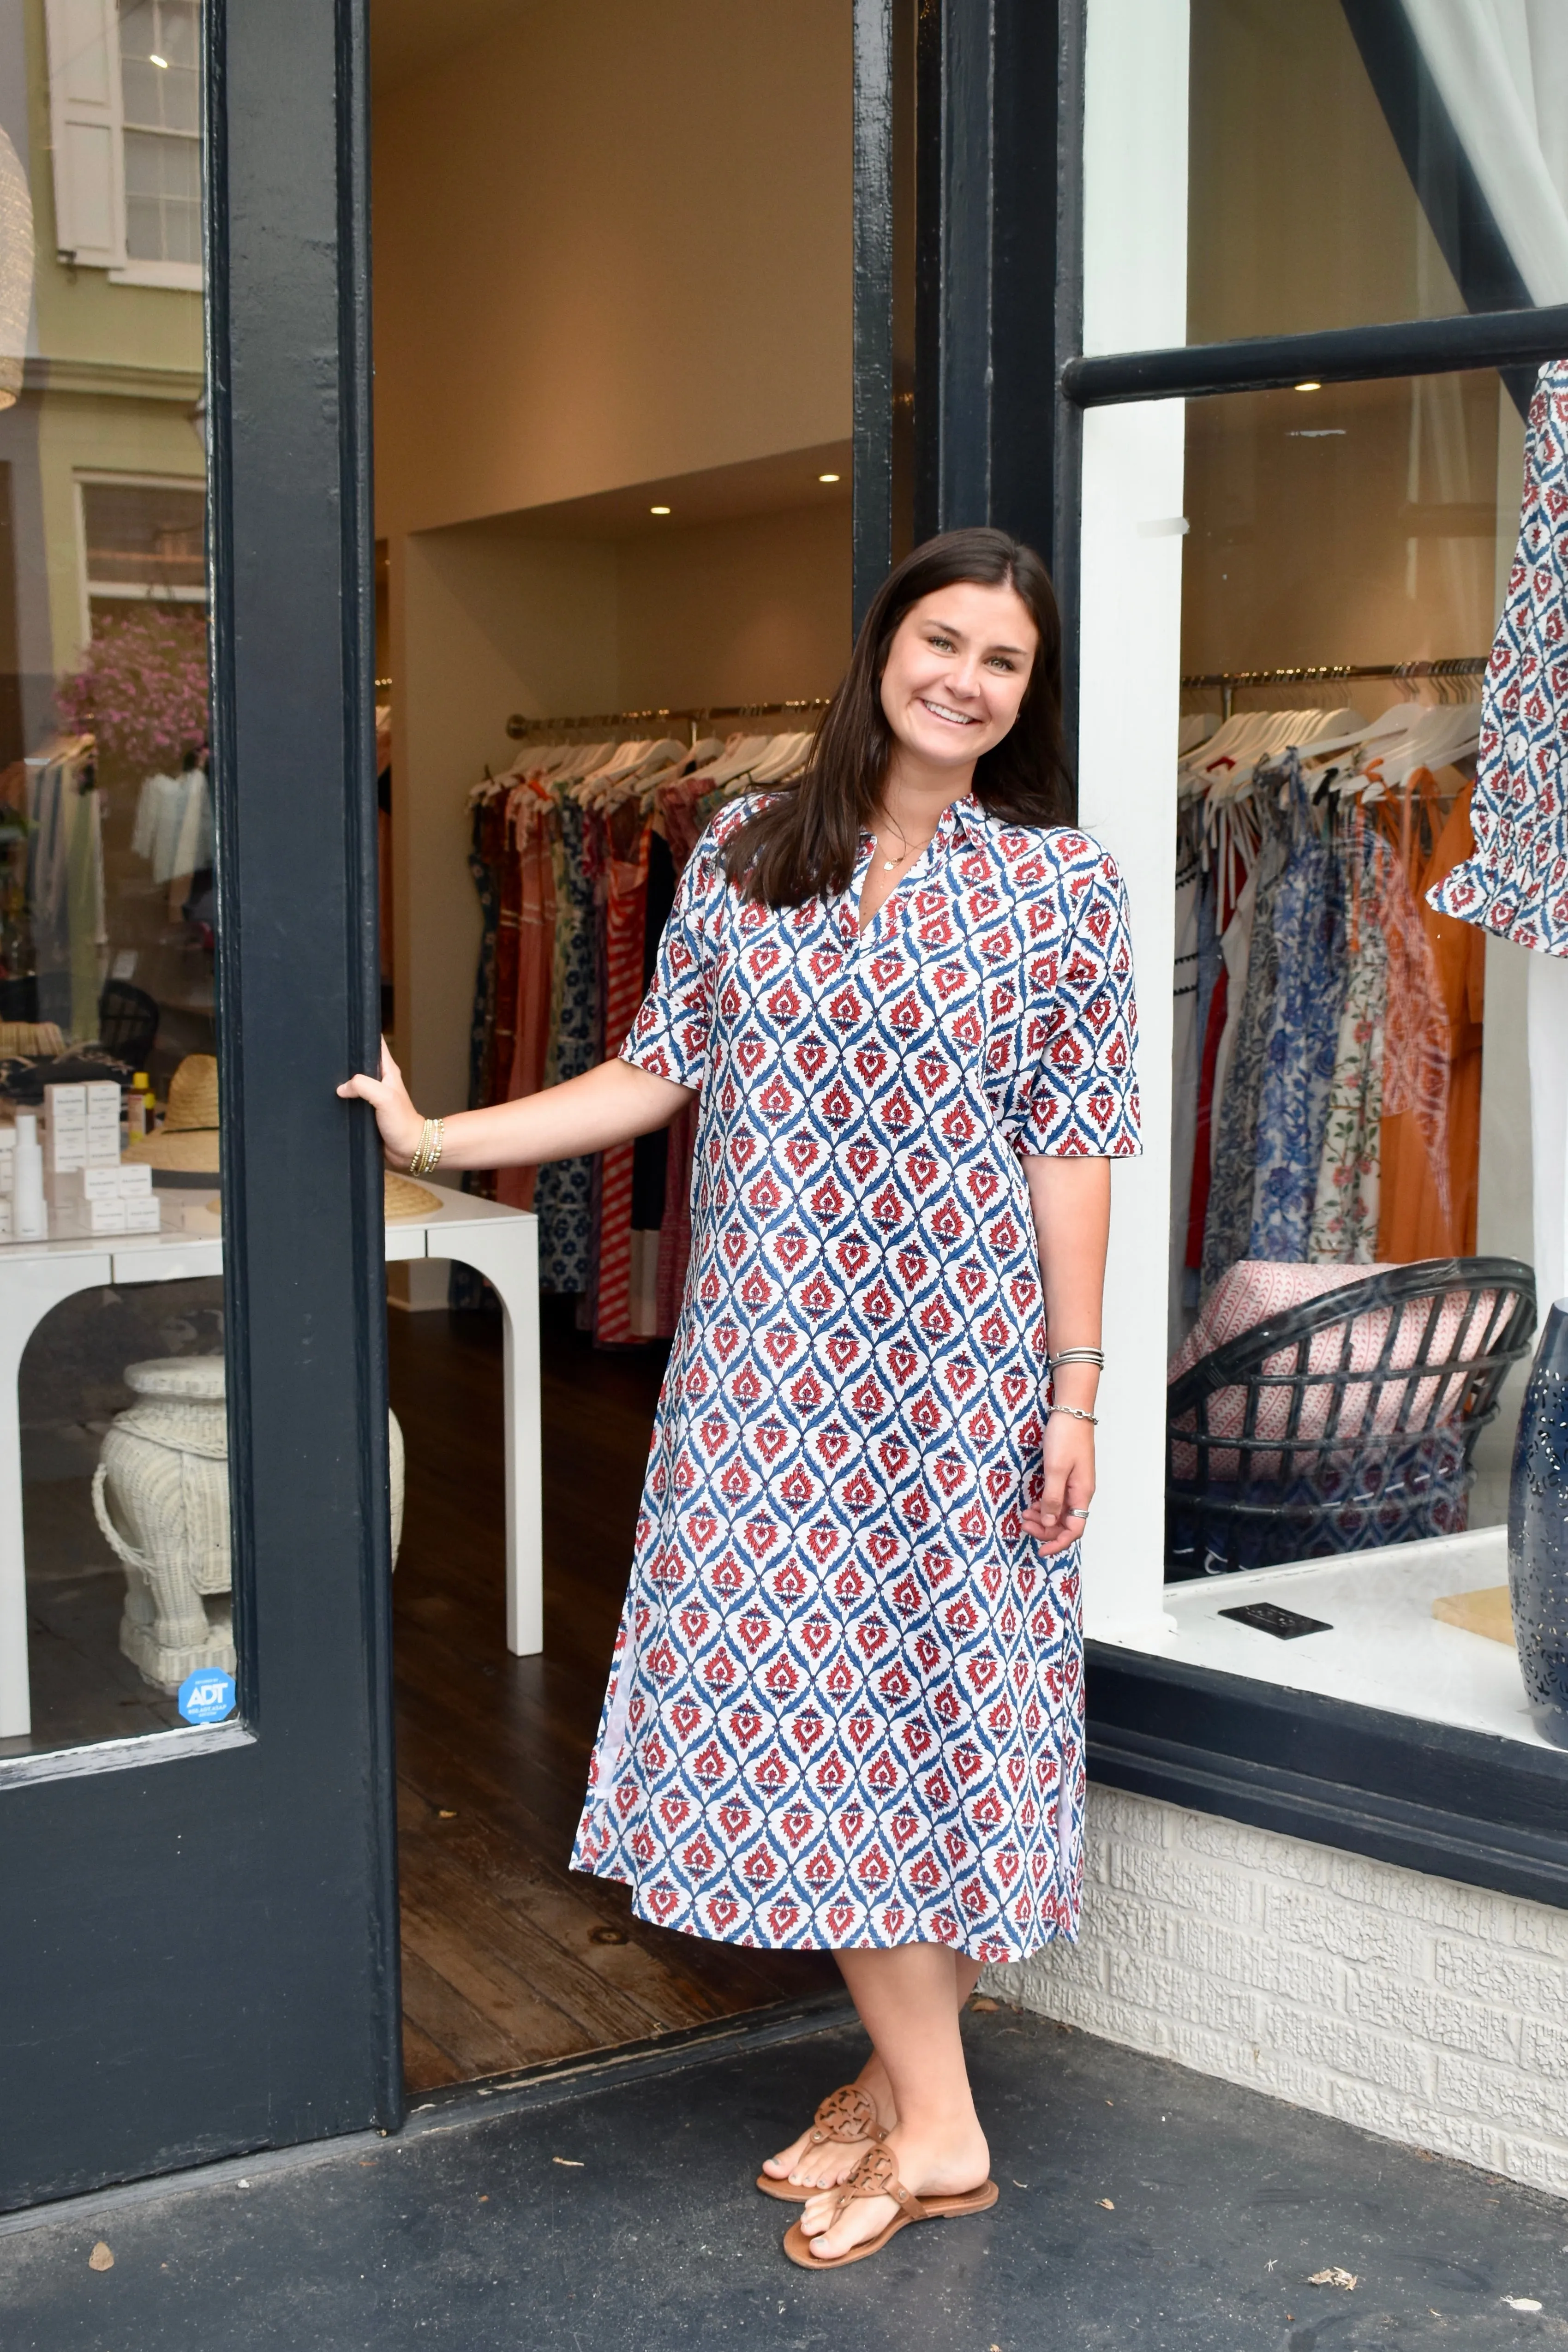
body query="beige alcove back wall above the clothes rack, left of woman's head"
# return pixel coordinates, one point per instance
(737, 613)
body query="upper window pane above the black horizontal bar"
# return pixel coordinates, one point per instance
(1355, 163)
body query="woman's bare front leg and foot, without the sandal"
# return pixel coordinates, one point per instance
(909, 2010)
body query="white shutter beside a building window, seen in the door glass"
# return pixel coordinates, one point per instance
(88, 131)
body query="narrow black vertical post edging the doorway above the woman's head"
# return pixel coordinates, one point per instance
(873, 300)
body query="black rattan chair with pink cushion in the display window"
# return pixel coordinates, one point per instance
(1343, 1424)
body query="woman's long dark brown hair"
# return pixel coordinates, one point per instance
(808, 838)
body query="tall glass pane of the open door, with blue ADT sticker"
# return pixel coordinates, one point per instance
(114, 1452)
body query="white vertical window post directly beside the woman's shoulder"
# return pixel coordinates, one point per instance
(1130, 688)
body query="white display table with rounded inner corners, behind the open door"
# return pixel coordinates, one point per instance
(497, 1243)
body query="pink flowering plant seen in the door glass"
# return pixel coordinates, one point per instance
(142, 688)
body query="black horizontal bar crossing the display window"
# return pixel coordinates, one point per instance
(1423, 347)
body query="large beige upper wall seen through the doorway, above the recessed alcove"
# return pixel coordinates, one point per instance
(612, 243)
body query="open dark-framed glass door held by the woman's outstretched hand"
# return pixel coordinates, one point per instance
(194, 1464)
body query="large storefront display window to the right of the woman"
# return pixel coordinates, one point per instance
(1306, 587)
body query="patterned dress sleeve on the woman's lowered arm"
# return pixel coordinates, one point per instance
(1080, 1081)
